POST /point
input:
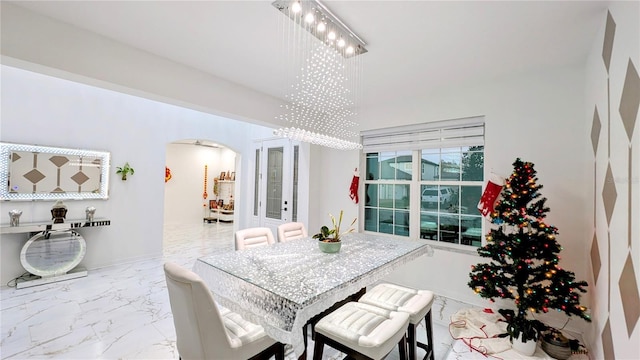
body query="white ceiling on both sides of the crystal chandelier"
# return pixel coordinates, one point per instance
(415, 47)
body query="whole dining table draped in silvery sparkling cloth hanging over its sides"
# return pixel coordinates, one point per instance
(284, 285)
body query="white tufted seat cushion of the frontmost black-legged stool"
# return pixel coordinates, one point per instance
(367, 329)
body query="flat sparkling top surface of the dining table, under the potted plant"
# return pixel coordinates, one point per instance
(298, 271)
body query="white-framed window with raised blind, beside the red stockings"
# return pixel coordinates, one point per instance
(426, 181)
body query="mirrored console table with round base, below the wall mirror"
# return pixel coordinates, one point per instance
(53, 250)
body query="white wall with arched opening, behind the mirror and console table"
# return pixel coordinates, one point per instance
(38, 109)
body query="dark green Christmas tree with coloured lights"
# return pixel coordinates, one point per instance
(524, 258)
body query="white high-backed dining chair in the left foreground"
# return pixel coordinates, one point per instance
(203, 331)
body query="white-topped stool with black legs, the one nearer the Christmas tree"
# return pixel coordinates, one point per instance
(416, 303)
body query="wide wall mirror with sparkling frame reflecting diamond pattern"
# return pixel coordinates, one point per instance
(30, 172)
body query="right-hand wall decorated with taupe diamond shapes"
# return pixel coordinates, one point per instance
(614, 249)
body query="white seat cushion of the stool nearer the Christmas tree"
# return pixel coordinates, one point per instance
(417, 303)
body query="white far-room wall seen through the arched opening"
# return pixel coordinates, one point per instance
(184, 200)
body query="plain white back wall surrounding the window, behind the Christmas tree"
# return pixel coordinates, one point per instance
(535, 116)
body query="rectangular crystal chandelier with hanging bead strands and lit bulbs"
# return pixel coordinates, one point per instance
(322, 76)
